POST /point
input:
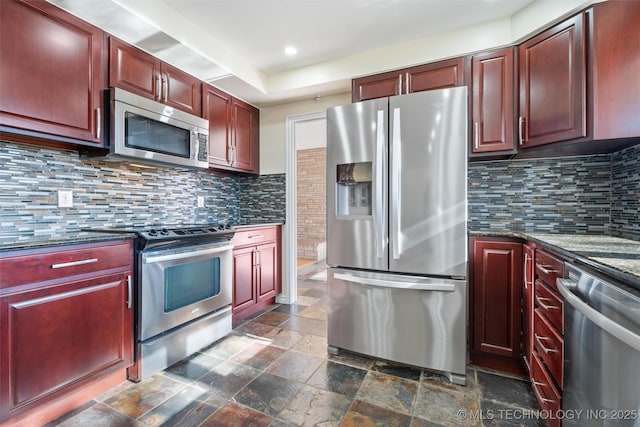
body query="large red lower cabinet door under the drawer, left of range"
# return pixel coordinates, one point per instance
(55, 337)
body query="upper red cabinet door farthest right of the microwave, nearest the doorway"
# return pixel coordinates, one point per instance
(245, 136)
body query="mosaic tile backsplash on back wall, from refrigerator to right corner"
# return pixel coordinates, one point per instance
(571, 194)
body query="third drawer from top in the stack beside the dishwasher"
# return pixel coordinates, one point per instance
(548, 345)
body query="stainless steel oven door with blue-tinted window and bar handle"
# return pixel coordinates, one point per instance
(182, 284)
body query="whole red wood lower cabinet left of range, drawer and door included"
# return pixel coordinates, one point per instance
(66, 327)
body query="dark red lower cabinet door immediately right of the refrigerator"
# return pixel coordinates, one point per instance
(497, 291)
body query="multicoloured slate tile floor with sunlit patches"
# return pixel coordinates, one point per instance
(274, 370)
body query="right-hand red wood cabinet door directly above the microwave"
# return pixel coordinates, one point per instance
(181, 90)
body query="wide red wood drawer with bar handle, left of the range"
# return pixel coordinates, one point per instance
(56, 263)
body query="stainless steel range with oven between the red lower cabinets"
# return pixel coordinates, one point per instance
(183, 291)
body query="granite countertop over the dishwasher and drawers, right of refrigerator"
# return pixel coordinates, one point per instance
(614, 256)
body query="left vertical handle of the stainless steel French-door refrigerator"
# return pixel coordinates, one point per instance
(380, 166)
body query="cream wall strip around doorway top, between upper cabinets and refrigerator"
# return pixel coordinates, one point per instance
(273, 128)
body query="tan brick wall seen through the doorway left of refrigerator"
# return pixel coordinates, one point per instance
(311, 188)
